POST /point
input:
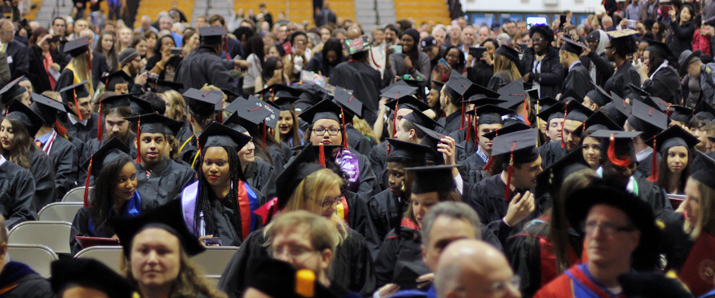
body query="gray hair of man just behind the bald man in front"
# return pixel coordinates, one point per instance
(455, 210)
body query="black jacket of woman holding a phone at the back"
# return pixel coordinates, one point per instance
(551, 76)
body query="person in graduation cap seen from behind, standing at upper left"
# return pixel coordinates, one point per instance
(205, 65)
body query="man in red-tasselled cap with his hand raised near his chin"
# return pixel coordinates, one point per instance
(504, 200)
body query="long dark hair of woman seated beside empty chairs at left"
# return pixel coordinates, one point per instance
(103, 202)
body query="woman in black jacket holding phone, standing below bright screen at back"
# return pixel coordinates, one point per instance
(541, 62)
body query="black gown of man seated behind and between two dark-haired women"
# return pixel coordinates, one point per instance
(163, 183)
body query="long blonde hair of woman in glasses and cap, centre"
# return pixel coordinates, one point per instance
(316, 185)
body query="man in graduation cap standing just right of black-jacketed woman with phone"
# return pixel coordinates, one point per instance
(577, 78)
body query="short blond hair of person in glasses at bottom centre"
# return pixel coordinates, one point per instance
(323, 233)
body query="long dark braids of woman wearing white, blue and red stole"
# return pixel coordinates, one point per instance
(207, 197)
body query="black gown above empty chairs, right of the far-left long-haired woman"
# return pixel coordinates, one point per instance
(66, 165)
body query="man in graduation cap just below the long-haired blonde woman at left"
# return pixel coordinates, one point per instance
(80, 122)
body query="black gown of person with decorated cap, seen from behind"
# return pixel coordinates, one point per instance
(364, 80)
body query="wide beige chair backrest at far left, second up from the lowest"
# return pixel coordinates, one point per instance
(53, 234)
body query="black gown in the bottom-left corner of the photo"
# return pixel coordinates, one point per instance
(28, 283)
